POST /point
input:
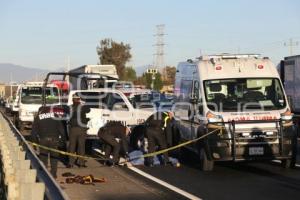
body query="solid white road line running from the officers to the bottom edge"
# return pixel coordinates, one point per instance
(165, 184)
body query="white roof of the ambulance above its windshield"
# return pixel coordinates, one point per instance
(229, 66)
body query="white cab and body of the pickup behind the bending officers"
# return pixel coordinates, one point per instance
(108, 105)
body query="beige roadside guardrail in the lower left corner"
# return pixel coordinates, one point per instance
(23, 174)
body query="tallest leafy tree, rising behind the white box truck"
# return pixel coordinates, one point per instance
(111, 52)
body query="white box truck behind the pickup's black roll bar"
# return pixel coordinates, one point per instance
(108, 73)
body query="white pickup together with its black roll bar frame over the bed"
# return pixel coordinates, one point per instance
(106, 104)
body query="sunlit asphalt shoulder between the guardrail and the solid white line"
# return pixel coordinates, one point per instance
(121, 183)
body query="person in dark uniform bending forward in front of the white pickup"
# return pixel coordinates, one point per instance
(113, 134)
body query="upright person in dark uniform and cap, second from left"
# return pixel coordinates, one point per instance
(77, 132)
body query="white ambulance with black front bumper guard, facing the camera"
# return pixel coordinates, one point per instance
(241, 98)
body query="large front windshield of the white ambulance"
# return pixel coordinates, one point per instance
(244, 94)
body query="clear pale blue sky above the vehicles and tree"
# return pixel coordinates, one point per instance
(44, 34)
